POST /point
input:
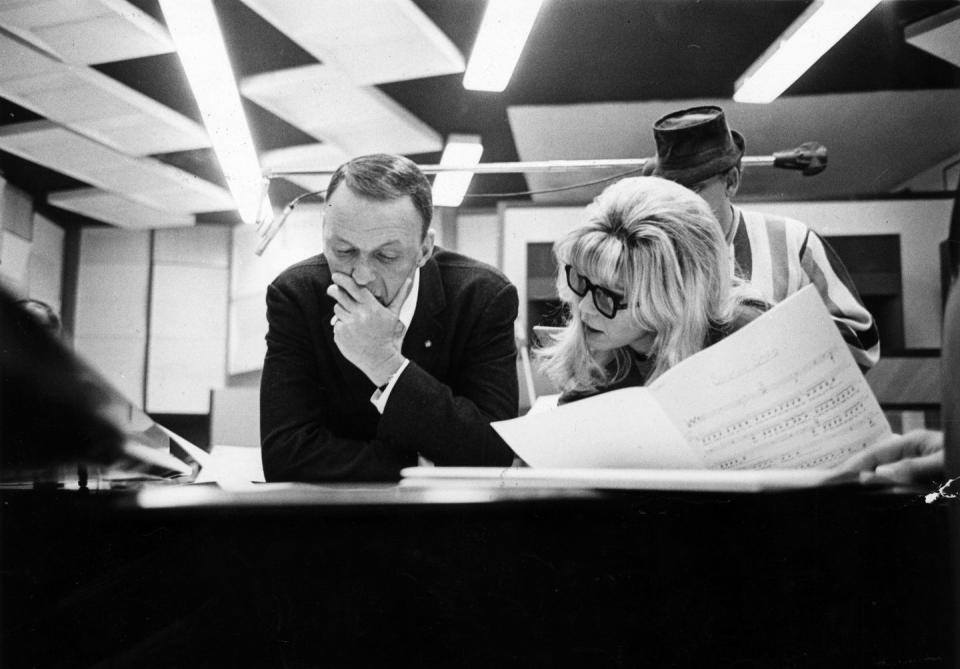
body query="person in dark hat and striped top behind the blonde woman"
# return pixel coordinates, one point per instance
(779, 255)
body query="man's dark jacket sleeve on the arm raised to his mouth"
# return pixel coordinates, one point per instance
(450, 424)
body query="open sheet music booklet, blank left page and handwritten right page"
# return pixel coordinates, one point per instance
(782, 393)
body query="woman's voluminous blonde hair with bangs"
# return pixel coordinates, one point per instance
(663, 245)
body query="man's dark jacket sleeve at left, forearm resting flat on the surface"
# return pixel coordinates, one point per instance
(296, 442)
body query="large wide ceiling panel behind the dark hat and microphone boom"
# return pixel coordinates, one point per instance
(875, 141)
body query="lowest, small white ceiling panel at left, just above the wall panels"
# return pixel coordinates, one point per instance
(117, 210)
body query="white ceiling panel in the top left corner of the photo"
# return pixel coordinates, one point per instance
(74, 30)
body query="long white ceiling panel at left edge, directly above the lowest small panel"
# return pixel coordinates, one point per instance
(145, 180)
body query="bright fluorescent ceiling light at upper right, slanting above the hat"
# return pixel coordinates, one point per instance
(820, 26)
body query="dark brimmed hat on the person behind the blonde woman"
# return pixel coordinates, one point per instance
(694, 144)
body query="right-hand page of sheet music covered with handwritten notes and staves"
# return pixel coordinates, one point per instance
(783, 392)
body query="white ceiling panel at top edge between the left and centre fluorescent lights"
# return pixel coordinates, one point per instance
(370, 41)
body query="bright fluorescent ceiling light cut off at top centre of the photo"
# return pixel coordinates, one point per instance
(503, 32)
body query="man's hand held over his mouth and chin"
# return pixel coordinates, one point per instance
(368, 333)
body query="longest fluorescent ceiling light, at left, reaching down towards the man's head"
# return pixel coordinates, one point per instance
(196, 33)
